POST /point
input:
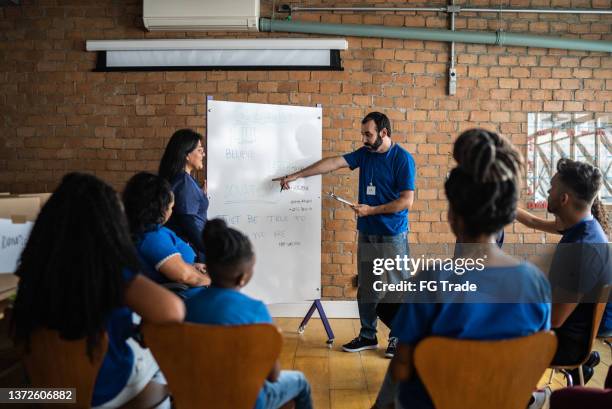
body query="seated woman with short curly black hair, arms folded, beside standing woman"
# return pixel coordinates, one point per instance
(148, 202)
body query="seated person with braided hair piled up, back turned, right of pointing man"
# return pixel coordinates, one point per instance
(513, 296)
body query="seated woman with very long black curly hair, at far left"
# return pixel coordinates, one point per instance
(79, 276)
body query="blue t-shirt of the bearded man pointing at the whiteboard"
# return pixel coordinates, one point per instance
(390, 173)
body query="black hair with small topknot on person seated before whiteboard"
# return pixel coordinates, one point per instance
(226, 249)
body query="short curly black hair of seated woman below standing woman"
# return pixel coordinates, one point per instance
(146, 198)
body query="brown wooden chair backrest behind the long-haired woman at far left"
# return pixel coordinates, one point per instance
(53, 362)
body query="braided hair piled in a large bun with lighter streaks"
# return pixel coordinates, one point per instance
(483, 188)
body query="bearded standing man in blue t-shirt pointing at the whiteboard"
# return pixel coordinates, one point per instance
(386, 193)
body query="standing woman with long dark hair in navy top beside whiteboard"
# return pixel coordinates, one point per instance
(184, 154)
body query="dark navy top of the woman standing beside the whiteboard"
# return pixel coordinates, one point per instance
(189, 214)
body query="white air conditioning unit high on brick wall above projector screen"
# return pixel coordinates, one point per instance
(201, 15)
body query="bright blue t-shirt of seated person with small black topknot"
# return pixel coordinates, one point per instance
(222, 306)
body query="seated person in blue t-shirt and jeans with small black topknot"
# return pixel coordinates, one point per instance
(230, 260)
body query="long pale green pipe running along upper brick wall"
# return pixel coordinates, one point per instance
(406, 33)
